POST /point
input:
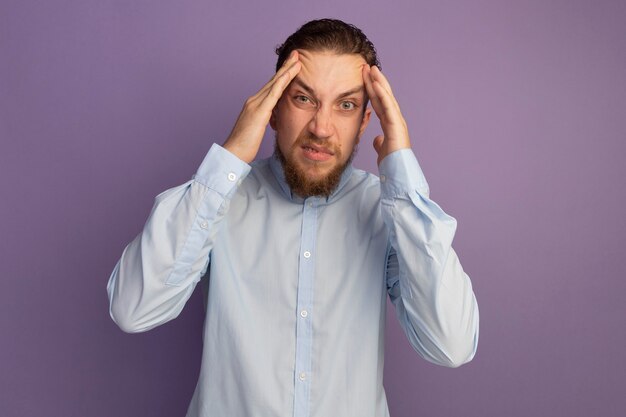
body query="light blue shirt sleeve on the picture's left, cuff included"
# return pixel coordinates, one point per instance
(159, 269)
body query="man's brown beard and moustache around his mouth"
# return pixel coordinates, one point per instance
(296, 177)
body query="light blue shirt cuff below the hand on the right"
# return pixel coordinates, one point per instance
(400, 174)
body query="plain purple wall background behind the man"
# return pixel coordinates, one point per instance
(516, 112)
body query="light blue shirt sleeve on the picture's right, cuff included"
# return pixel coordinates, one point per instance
(432, 295)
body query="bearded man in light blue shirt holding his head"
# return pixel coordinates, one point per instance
(302, 249)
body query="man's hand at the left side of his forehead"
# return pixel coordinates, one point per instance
(245, 139)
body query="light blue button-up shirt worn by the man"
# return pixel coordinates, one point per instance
(295, 319)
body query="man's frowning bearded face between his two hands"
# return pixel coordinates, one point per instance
(319, 120)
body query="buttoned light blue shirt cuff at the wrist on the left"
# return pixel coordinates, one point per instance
(221, 171)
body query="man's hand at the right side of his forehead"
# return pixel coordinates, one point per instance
(395, 132)
